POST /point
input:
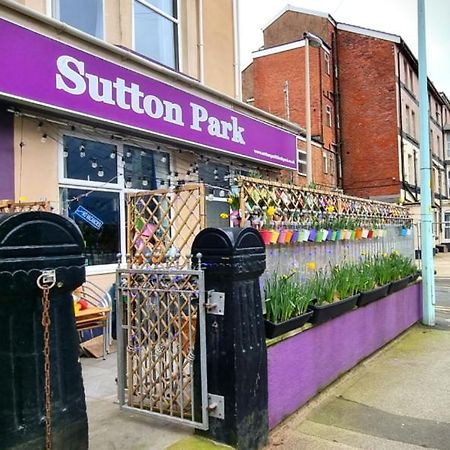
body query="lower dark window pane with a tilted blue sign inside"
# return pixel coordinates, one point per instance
(97, 214)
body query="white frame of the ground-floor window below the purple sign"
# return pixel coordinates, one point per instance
(120, 187)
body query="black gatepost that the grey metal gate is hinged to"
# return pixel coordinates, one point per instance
(233, 259)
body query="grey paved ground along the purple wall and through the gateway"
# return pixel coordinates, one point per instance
(398, 398)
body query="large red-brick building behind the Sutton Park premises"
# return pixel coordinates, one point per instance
(364, 105)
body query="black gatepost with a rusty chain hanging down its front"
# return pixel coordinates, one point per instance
(31, 242)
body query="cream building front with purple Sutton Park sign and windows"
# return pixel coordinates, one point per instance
(99, 99)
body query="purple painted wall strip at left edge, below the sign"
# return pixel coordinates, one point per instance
(6, 154)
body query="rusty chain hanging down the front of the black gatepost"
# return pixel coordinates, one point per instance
(47, 382)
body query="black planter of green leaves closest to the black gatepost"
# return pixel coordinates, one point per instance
(286, 303)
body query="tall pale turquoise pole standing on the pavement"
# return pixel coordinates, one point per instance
(428, 292)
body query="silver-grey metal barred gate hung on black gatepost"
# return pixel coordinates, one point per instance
(161, 344)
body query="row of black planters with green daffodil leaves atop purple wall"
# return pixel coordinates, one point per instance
(331, 293)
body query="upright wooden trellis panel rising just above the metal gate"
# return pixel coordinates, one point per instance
(162, 224)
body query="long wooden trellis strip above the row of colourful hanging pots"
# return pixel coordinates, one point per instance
(297, 204)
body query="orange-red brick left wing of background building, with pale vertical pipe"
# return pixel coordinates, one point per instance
(277, 81)
